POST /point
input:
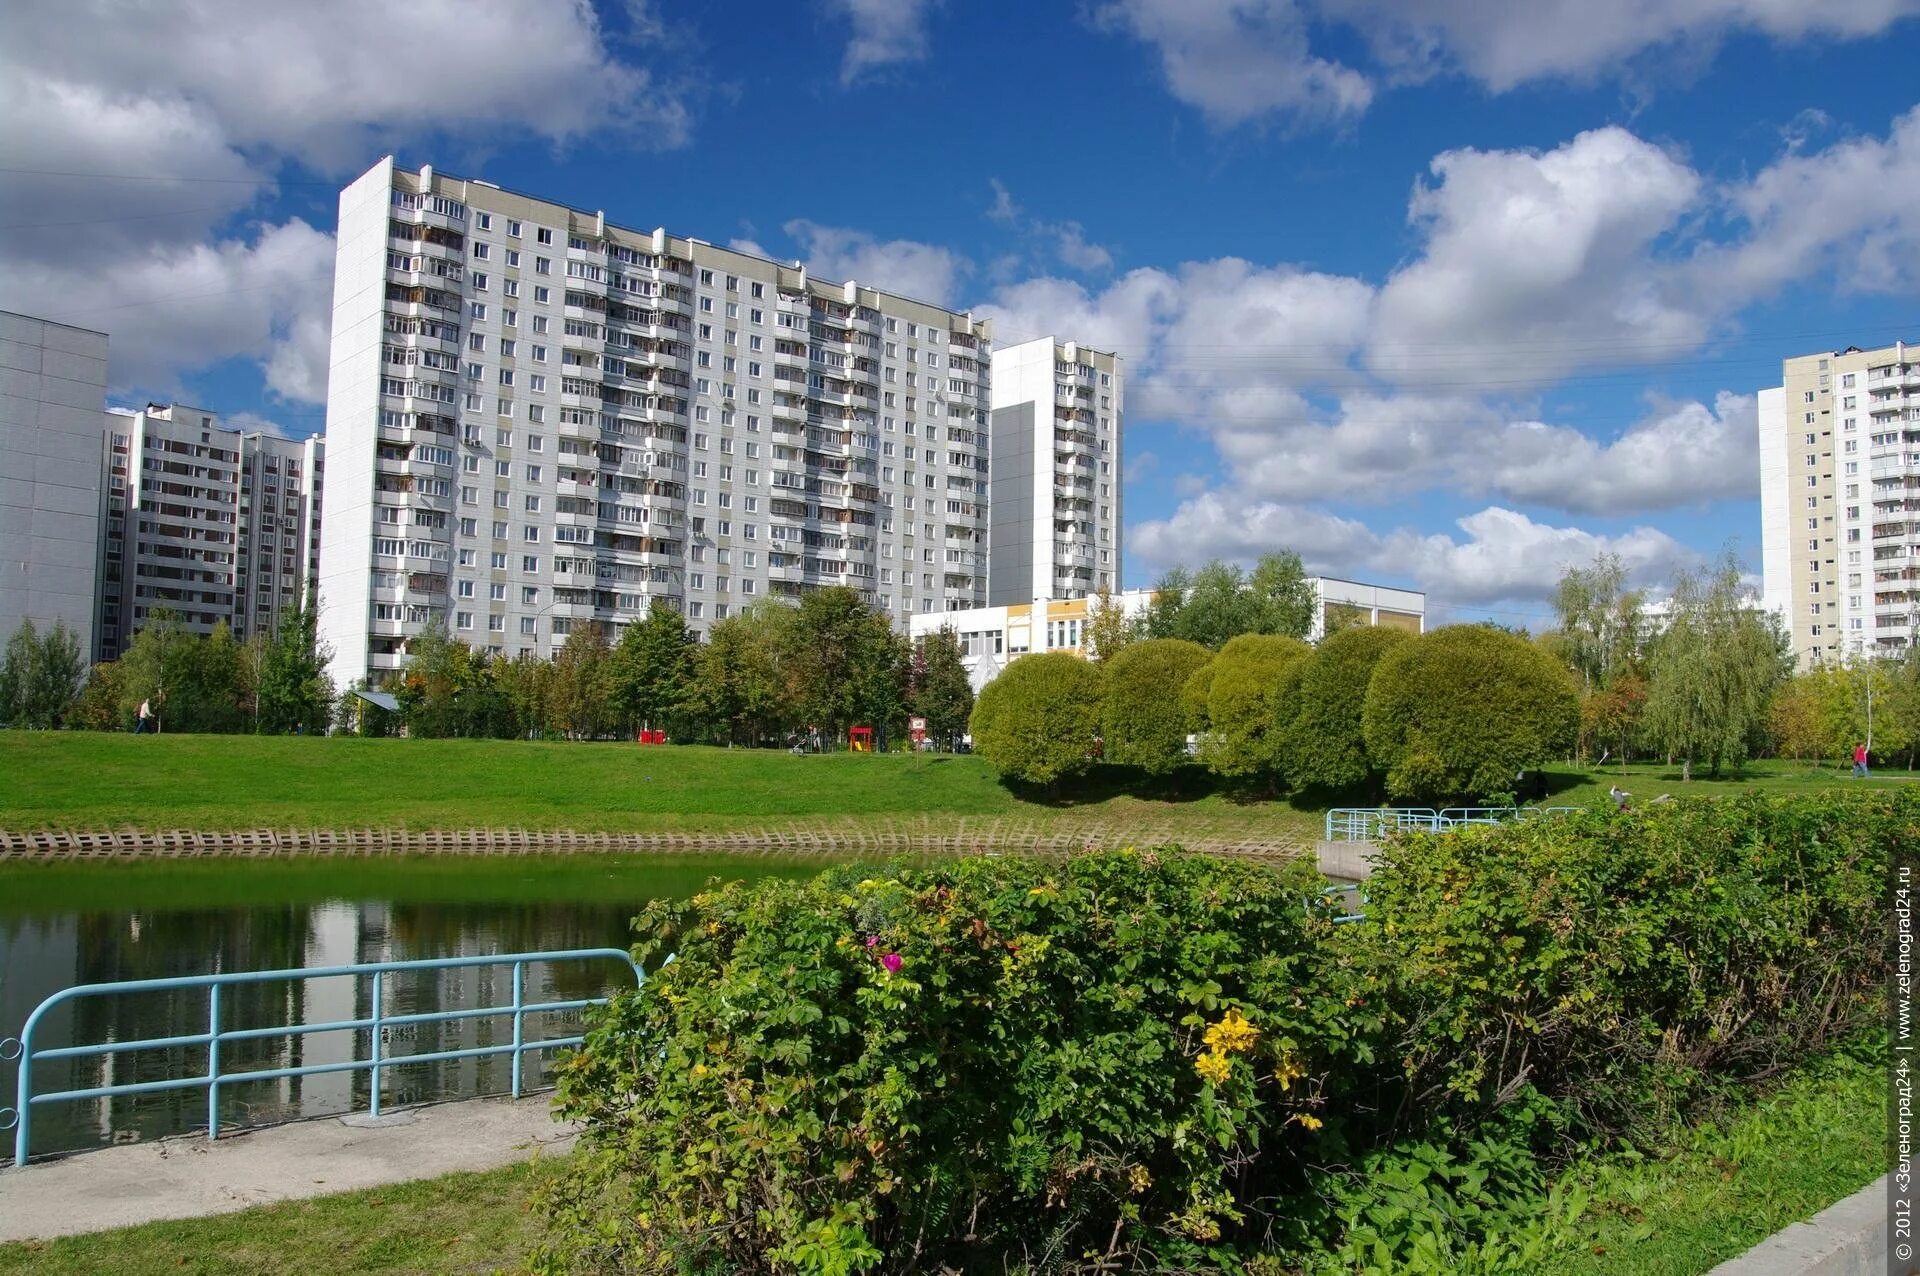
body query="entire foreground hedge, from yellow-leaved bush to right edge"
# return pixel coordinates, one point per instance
(1151, 1060)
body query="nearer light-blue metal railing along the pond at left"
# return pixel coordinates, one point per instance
(519, 1008)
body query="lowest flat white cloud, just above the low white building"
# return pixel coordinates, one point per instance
(1502, 555)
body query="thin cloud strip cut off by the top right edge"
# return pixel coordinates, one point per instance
(1510, 43)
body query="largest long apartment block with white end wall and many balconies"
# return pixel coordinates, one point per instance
(539, 419)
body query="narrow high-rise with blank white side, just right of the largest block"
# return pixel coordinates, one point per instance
(1057, 473)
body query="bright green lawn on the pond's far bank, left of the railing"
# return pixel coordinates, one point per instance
(214, 782)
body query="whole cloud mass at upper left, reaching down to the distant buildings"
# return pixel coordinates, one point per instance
(143, 135)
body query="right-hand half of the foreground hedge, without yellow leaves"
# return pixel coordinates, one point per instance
(1627, 964)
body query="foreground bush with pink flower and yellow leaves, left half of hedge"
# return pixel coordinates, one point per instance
(951, 1066)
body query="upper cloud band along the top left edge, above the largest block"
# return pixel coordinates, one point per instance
(331, 82)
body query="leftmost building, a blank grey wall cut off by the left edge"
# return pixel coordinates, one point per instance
(53, 389)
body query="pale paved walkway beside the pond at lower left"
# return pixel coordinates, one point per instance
(191, 1177)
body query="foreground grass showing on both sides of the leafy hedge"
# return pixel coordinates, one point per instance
(1719, 1193)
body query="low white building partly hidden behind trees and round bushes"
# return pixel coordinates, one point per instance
(994, 636)
